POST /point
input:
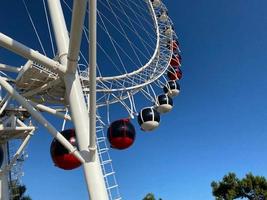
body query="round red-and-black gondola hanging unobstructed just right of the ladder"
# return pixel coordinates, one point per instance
(121, 134)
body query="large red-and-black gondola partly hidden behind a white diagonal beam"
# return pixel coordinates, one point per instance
(60, 155)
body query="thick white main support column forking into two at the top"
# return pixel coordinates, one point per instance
(70, 46)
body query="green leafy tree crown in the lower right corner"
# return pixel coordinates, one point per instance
(251, 187)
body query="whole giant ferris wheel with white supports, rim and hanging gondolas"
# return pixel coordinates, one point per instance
(129, 67)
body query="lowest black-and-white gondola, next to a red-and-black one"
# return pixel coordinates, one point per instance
(148, 119)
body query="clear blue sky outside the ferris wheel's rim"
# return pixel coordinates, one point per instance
(219, 123)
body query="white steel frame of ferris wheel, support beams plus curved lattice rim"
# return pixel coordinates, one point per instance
(120, 87)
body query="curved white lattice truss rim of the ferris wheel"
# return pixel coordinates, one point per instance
(120, 86)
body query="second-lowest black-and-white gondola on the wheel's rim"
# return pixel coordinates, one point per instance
(164, 103)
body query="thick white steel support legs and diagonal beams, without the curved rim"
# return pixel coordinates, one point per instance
(68, 49)
